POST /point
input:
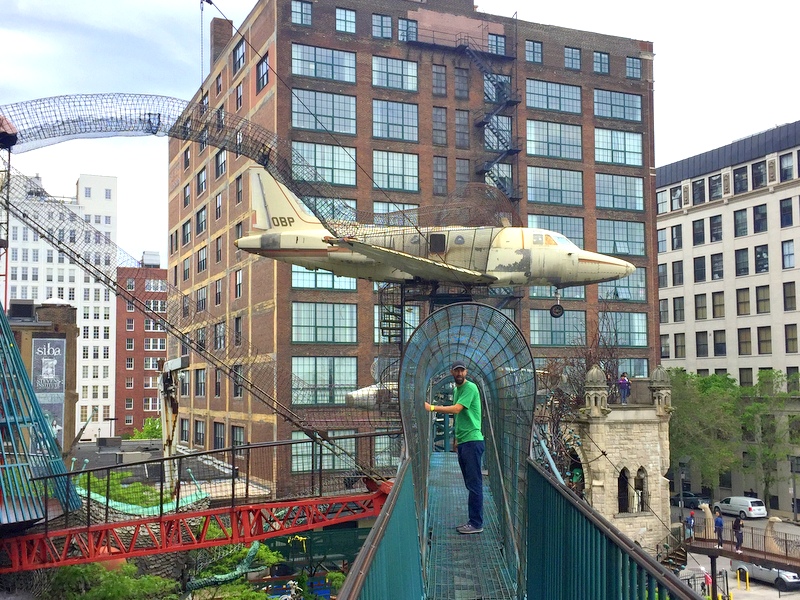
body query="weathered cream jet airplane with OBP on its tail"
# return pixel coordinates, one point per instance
(466, 256)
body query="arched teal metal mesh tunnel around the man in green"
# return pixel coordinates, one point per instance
(499, 361)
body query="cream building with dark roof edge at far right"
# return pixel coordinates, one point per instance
(727, 275)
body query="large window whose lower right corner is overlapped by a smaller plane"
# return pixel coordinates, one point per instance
(323, 379)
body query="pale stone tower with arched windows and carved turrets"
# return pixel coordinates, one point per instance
(624, 453)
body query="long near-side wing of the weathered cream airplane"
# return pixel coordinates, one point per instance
(423, 268)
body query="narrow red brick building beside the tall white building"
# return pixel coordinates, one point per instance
(140, 345)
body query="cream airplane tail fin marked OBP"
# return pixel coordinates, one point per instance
(275, 206)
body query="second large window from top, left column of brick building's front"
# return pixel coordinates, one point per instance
(323, 112)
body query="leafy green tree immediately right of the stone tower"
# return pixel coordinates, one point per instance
(705, 426)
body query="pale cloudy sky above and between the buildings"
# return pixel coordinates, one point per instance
(721, 73)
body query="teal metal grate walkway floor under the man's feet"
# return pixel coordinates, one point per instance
(462, 567)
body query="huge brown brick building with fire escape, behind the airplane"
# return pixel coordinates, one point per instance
(397, 105)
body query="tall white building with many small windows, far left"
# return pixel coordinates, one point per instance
(37, 272)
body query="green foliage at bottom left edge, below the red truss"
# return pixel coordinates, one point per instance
(94, 582)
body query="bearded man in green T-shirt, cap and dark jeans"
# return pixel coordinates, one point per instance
(469, 442)
